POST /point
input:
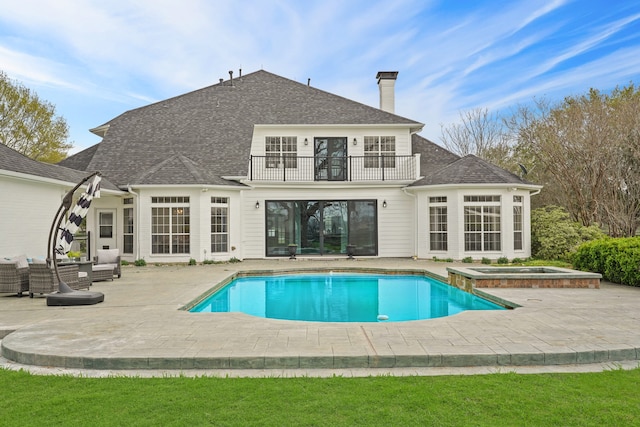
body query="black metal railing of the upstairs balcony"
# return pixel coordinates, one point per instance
(323, 168)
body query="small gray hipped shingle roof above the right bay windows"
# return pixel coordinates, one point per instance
(470, 170)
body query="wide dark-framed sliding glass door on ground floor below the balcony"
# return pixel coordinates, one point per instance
(321, 227)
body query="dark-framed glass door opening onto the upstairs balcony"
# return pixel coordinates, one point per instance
(330, 159)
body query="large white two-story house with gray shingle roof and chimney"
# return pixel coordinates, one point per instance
(253, 164)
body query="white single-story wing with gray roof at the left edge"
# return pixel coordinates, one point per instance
(31, 195)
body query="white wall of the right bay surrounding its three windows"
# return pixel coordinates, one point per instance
(455, 222)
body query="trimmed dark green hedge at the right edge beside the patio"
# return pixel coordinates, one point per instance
(618, 260)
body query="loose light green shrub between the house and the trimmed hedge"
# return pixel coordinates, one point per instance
(555, 236)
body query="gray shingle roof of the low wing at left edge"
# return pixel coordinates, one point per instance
(11, 160)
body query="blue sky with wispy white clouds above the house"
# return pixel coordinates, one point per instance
(97, 59)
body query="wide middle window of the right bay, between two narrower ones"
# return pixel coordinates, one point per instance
(482, 223)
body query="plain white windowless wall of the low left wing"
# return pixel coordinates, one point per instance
(26, 212)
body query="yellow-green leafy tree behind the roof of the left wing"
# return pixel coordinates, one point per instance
(29, 125)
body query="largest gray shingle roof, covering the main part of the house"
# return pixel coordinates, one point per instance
(207, 133)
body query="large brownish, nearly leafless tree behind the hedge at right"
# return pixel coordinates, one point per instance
(587, 151)
